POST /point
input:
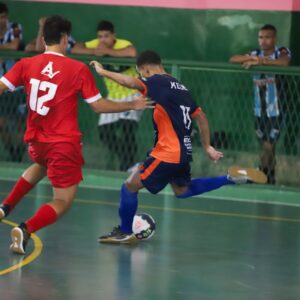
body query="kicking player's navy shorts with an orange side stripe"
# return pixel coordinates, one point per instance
(156, 174)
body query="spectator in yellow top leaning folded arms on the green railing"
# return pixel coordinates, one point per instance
(117, 131)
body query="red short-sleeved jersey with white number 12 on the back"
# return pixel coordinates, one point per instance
(52, 82)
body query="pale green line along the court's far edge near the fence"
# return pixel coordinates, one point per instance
(203, 196)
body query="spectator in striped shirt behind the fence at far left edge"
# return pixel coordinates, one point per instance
(11, 104)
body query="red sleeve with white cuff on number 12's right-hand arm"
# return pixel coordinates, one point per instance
(89, 91)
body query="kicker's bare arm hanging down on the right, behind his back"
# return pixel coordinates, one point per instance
(203, 127)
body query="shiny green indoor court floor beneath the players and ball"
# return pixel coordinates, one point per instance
(236, 243)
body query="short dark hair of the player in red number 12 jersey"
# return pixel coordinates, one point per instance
(54, 28)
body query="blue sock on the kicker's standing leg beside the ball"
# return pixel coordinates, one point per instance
(128, 208)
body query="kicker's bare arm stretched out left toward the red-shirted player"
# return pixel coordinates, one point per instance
(122, 79)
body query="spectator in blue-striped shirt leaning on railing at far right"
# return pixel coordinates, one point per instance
(268, 95)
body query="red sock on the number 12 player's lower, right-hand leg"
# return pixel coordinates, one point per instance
(44, 216)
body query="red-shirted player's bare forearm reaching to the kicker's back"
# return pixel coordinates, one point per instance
(107, 106)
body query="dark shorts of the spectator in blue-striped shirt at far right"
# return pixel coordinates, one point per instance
(268, 129)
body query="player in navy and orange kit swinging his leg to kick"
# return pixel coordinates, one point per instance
(169, 160)
